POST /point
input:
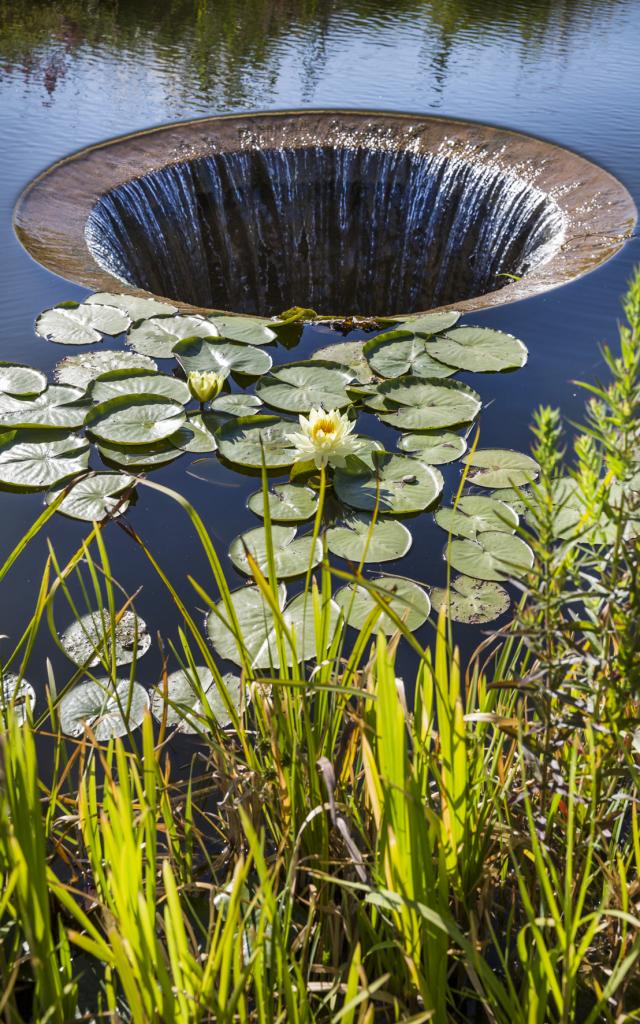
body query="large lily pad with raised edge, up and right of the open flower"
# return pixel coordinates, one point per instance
(412, 404)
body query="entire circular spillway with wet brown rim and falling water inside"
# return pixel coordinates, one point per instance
(338, 211)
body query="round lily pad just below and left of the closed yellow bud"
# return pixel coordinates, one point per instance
(142, 419)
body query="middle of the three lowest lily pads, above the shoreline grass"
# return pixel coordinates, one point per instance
(109, 711)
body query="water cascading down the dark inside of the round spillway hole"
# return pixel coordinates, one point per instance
(339, 229)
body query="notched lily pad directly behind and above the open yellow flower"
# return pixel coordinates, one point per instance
(300, 388)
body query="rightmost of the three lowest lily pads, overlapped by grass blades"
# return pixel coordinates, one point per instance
(183, 707)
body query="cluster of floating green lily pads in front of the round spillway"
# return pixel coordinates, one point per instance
(115, 403)
